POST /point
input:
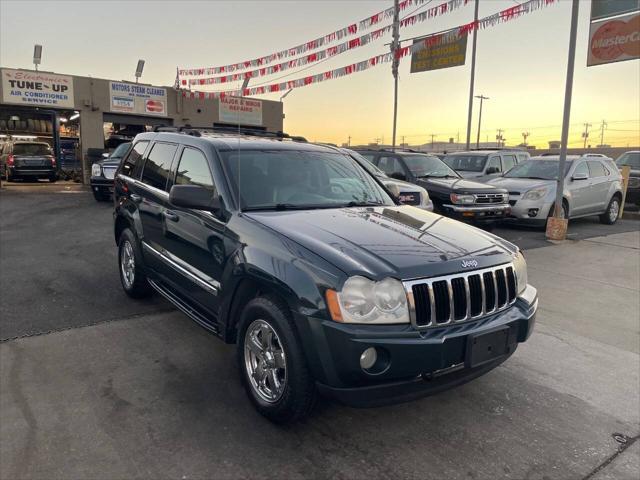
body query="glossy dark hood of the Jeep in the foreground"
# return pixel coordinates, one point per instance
(398, 241)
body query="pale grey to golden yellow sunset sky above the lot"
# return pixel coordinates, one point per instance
(521, 64)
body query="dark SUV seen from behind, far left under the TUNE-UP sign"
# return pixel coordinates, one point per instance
(28, 160)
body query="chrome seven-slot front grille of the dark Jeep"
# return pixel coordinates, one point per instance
(439, 301)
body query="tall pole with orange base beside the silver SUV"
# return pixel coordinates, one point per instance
(555, 231)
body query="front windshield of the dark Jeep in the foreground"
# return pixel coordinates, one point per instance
(290, 179)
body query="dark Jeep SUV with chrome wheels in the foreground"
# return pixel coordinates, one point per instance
(297, 254)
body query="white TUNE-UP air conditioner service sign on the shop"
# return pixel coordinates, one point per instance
(37, 88)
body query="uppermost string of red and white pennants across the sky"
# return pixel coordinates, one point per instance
(321, 41)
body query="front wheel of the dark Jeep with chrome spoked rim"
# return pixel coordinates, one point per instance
(273, 368)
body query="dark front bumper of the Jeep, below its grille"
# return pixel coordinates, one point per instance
(420, 363)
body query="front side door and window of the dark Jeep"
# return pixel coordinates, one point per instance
(193, 239)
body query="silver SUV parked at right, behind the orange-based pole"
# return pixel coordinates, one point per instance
(592, 186)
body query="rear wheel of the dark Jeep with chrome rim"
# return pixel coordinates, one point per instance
(131, 267)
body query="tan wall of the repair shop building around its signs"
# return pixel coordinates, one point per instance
(92, 99)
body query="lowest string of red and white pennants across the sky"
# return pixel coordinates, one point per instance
(503, 16)
